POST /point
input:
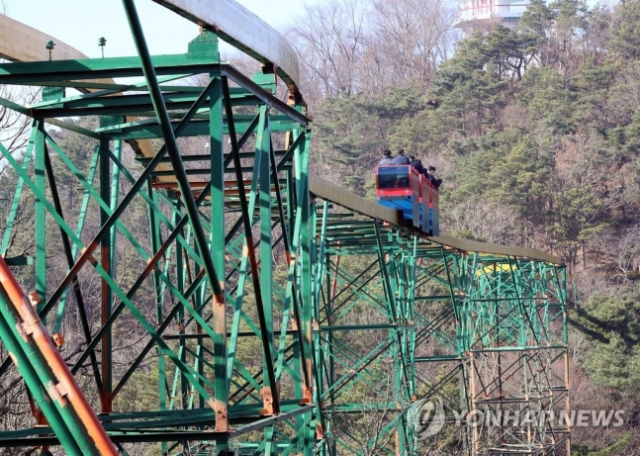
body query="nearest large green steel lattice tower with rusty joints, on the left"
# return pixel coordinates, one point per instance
(200, 262)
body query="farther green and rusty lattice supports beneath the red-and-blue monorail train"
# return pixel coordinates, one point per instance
(483, 334)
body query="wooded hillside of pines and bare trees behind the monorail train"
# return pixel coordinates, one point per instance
(535, 132)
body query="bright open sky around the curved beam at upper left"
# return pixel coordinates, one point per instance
(80, 23)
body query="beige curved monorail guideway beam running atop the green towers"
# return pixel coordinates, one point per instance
(241, 28)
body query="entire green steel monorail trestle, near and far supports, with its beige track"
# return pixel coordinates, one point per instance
(257, 310)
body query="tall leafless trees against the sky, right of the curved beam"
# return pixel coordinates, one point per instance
(359, 46)
